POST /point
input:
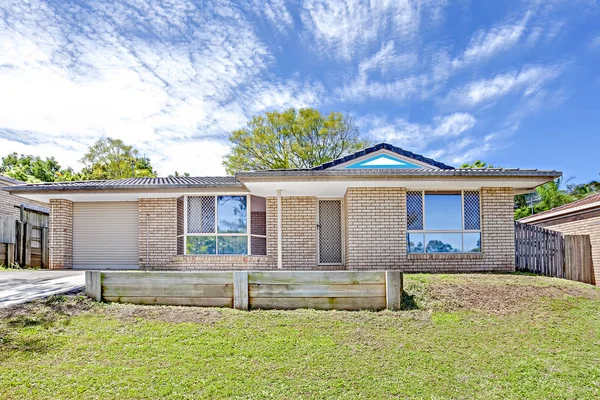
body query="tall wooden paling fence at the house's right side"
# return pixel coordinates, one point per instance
(549, 253)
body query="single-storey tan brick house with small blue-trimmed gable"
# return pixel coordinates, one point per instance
(380, 208)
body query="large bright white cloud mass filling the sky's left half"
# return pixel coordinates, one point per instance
(150, 73)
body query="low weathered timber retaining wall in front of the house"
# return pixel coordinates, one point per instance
(342, 290)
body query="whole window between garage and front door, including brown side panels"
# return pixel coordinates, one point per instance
(222, 225)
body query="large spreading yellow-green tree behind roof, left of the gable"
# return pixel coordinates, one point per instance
(292, 139)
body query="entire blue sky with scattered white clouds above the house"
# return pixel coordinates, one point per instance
(515, 83)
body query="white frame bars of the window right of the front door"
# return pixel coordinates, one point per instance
(462, 231)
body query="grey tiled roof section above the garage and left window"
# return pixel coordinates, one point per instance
(135, 183)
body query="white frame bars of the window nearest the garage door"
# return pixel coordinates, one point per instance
(216, 233)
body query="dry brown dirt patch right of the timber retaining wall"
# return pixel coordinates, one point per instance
(495, 296)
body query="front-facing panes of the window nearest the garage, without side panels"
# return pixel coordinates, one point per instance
(216, 225)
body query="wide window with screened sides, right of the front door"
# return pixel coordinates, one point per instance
(443, 222)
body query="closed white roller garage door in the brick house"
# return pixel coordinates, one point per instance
(105, 235)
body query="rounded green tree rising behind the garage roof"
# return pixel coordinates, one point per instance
(112, 159)
